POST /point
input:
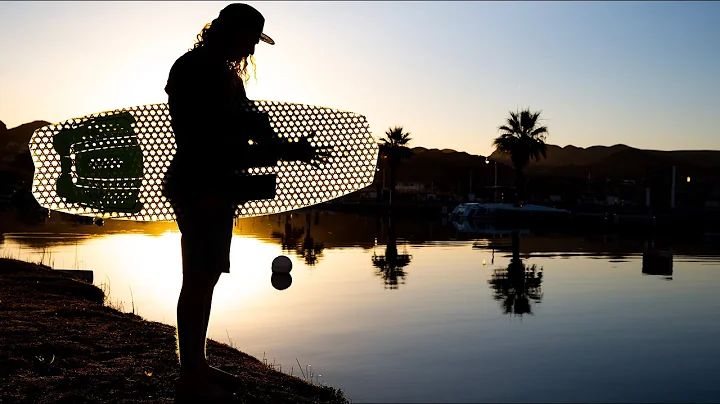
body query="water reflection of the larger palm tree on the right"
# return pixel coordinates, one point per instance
(517, 286)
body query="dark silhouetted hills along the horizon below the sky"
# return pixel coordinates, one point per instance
(450, 170)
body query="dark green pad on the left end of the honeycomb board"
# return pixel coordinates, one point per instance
(101, 164)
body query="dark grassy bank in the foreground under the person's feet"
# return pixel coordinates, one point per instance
(102, 355)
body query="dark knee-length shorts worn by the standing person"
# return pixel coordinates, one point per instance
(206, 227)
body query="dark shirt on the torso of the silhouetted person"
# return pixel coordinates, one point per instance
(202, 95)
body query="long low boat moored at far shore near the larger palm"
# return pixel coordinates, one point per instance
(505, 212)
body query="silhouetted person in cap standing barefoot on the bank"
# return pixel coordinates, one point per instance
(207, 178)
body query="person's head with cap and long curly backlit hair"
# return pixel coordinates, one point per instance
(234, 34)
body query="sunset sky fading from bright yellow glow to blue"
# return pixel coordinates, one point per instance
(646, 74)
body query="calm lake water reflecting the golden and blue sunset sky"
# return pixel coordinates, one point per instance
(435, 321)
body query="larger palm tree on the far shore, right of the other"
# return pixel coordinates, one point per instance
(523, 140)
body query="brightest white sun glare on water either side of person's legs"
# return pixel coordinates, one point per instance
(154, 271)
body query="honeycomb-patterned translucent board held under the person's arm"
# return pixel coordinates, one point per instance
(112, 164)
